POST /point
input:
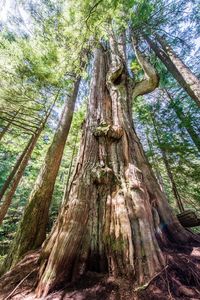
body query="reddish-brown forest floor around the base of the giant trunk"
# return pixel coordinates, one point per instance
(180, 279)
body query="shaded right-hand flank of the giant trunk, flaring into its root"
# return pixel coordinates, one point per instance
(167, 226)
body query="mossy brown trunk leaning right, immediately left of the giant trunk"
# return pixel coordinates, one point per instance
(32, 229)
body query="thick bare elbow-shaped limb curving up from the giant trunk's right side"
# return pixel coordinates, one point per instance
(151, 79)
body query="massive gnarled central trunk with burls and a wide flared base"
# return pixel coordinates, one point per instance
(106, 224)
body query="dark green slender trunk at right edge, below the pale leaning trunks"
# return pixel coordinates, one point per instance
(185, 121)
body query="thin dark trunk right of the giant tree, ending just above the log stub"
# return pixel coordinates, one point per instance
(167, 166)
